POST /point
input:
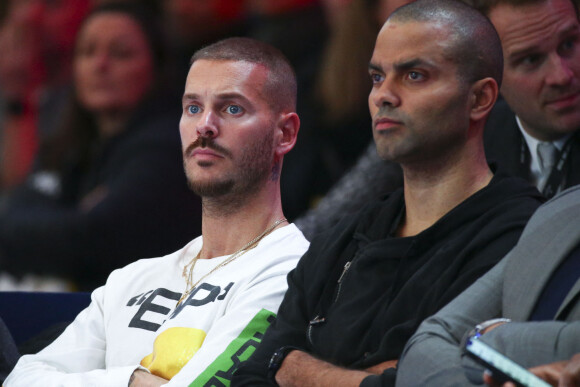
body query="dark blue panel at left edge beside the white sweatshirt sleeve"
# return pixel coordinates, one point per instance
(27, 314)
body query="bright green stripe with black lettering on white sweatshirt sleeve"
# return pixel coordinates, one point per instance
(220, 372)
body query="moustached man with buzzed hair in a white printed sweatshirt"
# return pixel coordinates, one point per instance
(191, 317)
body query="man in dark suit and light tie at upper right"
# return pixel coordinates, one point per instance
(541, 85)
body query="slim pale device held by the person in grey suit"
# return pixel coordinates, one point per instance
(502, 368)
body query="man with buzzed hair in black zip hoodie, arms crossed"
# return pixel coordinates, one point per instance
(364, 286)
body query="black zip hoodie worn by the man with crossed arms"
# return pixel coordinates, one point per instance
(360, 292)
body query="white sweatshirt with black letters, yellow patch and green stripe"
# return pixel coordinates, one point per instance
(134, 315)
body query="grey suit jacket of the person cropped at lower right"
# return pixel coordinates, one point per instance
(536, 286)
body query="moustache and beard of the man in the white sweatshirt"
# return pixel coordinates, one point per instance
(252, 170)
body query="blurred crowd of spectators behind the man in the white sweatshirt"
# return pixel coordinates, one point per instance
(90, 161)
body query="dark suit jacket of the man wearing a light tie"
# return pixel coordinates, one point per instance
(503, 139)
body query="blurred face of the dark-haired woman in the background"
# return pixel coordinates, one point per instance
(113, 64)
